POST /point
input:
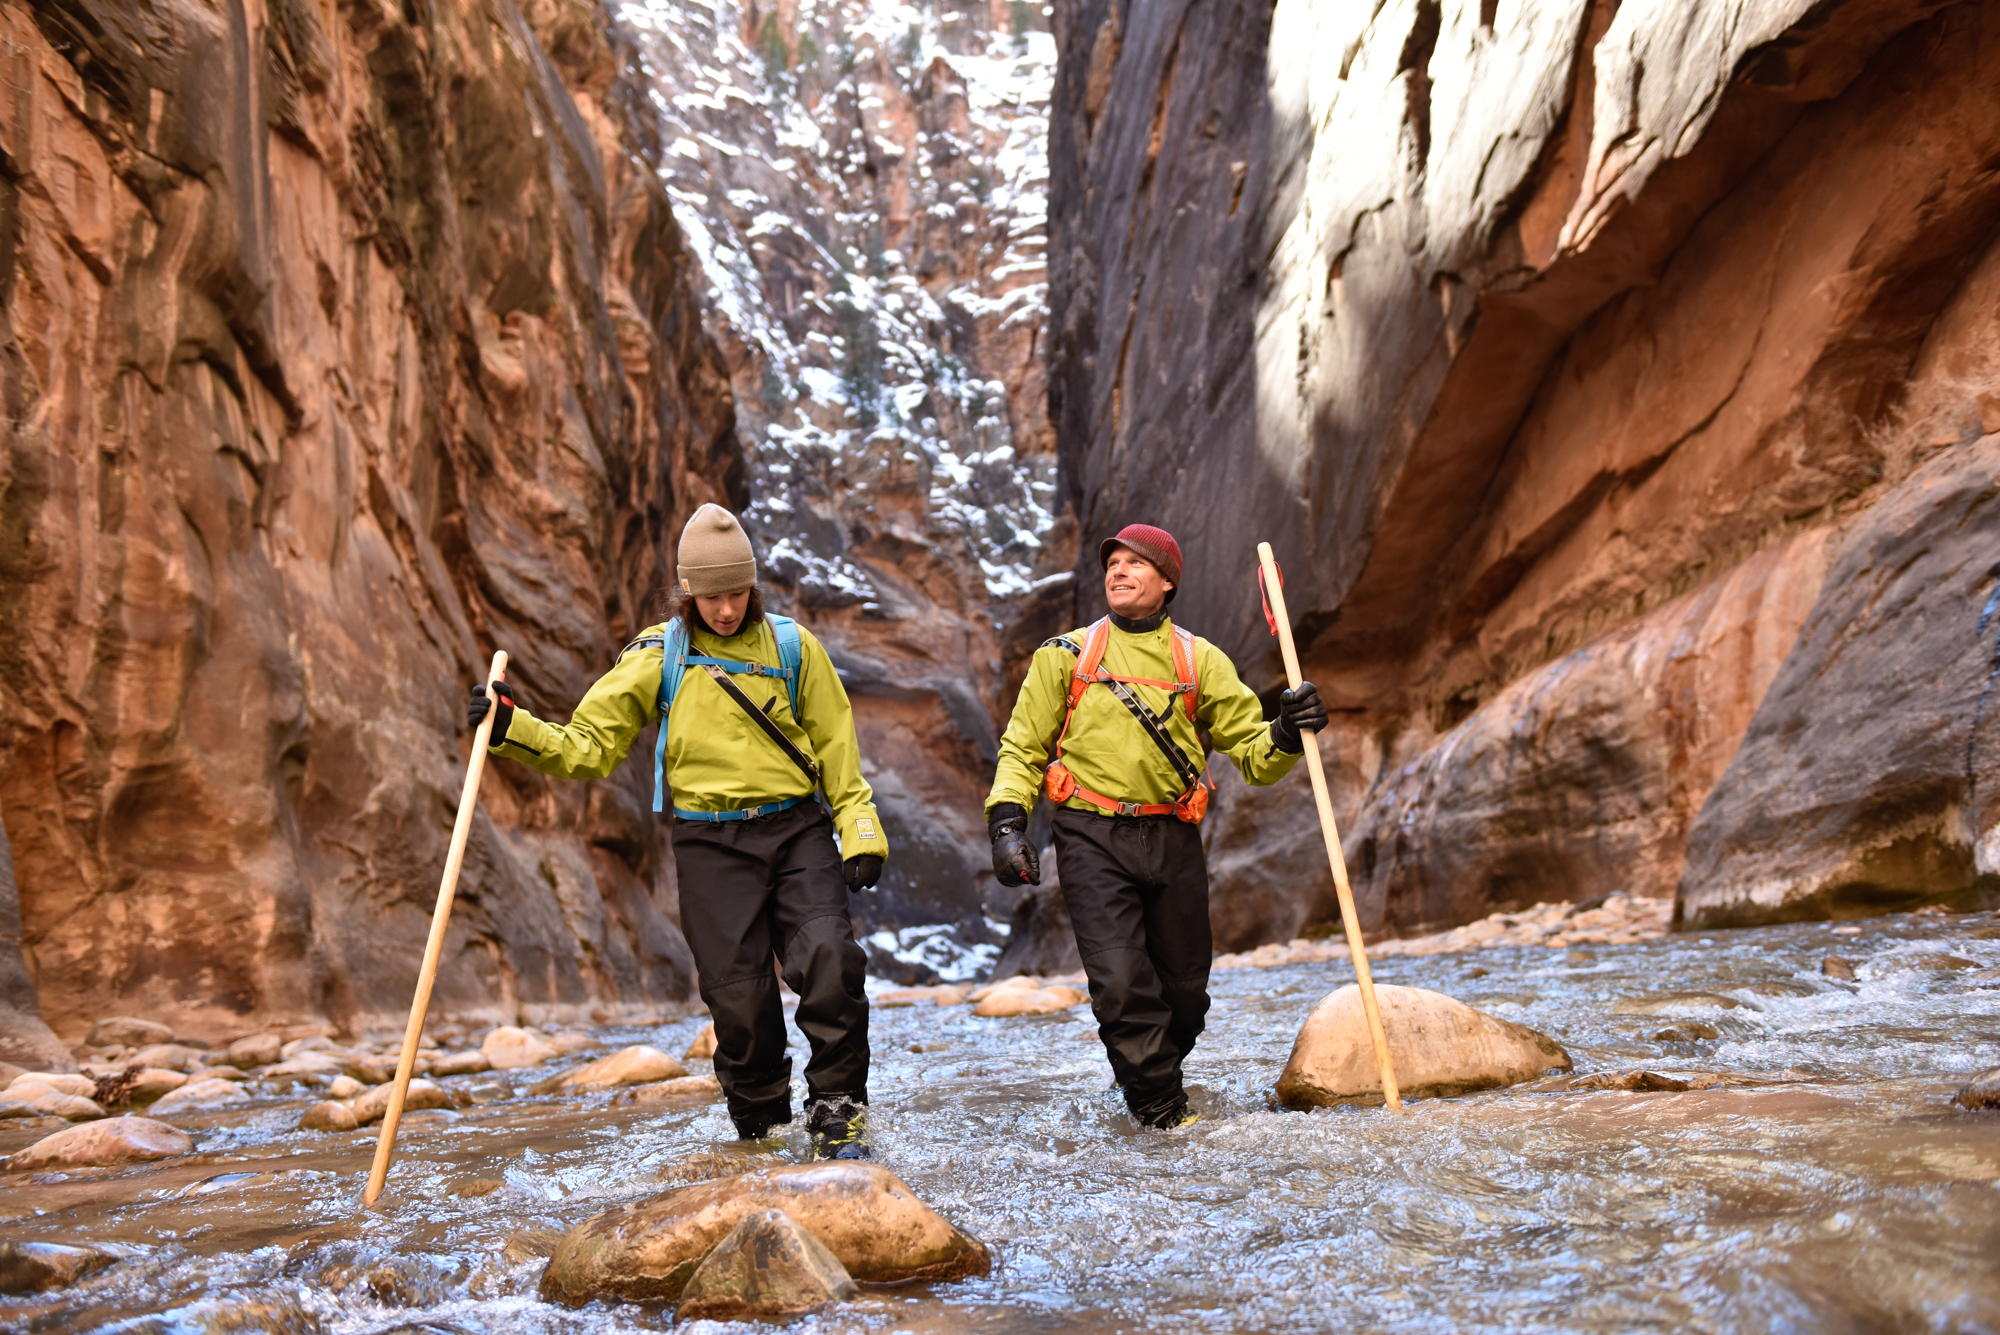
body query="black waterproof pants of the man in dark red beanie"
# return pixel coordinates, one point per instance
(1137, 890)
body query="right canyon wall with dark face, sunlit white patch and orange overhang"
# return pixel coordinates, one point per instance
(1619, 389)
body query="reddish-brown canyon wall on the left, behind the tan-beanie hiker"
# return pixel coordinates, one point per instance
(343, 345)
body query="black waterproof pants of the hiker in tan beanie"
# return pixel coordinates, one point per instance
(763, 890)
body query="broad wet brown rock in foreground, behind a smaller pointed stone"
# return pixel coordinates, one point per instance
(861, 1212)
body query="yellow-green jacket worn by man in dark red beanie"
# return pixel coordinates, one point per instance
(1109, 750)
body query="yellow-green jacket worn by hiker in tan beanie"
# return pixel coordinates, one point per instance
(717, 760)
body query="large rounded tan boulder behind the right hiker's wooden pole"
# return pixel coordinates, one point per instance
(1439, 1046)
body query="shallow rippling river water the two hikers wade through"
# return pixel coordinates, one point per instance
(1831, 1188)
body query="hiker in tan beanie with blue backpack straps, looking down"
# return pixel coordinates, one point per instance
(757, 722)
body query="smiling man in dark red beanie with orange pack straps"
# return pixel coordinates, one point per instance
(1111, 726)
